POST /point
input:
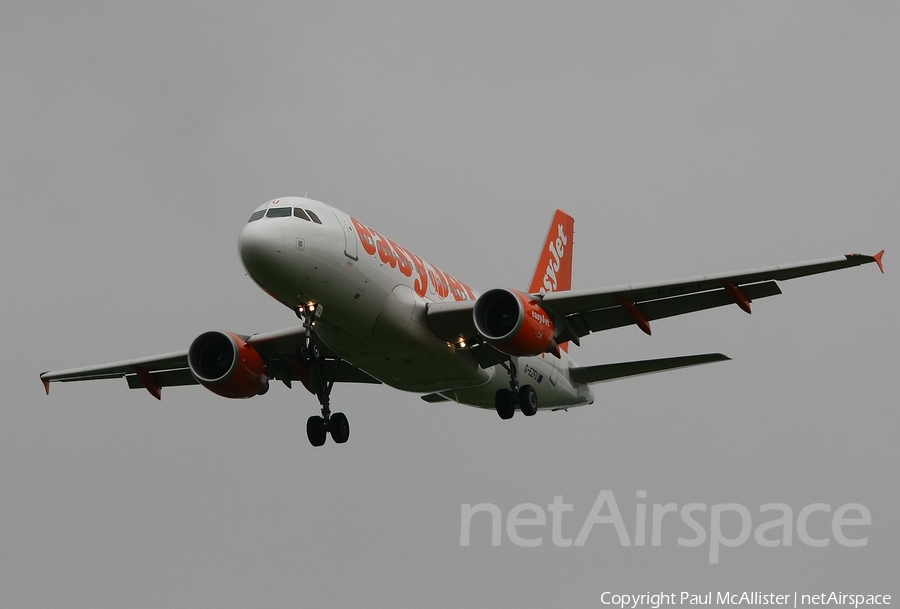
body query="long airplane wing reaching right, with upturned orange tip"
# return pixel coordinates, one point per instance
(577, 313)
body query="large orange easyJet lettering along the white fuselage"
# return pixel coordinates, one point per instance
(408, 263)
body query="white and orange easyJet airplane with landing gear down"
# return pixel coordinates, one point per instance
(372, 311)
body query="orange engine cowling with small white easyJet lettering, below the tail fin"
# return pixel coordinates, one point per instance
(514, 323)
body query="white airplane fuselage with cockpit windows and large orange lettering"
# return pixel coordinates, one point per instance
(370, 296)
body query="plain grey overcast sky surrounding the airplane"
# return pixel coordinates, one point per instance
(685, 138)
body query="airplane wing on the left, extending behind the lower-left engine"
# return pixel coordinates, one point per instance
(278, 349)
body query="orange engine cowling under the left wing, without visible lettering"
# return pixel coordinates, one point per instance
(226, 365)
